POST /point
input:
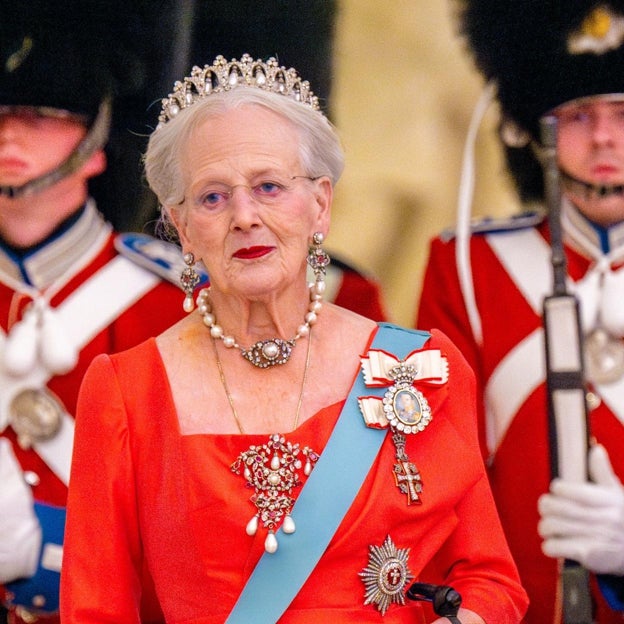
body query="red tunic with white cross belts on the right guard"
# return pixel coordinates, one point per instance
(511, 274)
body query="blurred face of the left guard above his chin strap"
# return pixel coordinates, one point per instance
(32, 143)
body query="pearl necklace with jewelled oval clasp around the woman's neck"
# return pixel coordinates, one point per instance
(271, 351)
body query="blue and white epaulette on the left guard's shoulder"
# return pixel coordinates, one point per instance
(155, 255)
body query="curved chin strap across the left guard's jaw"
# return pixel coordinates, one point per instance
(94, 139)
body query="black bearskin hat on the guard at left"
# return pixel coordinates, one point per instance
(52, 55)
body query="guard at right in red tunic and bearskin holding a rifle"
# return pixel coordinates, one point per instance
(485, 286)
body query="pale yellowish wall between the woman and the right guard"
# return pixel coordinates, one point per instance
(404, 91)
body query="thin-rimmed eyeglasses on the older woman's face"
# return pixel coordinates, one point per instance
(267, 190)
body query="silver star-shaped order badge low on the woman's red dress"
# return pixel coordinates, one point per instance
(386, 575)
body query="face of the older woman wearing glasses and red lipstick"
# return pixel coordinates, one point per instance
(248, 212)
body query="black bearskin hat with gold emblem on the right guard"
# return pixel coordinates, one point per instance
(541, 54)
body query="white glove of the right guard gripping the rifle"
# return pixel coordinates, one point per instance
(584, 522)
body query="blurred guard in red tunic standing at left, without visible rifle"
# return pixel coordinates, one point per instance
(70, 287)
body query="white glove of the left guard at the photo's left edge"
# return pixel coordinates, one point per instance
(20, 533)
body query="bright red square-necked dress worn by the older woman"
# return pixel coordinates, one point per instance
(143, 493)
